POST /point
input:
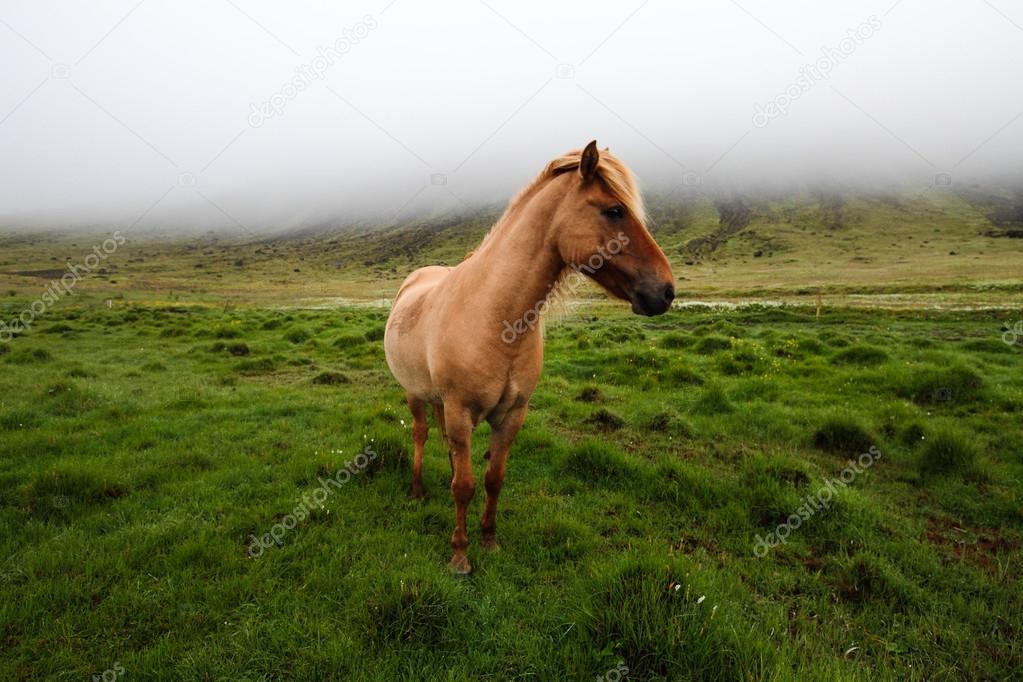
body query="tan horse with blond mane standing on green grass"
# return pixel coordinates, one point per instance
(464, 340)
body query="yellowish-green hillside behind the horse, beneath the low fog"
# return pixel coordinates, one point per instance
(936, 244)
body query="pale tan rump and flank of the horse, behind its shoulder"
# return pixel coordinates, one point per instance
(405, 337)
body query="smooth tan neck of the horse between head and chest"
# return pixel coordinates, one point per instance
(519, 265)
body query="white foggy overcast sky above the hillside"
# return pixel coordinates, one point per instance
(229, 113)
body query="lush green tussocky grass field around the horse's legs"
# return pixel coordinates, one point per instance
(144, 446)
